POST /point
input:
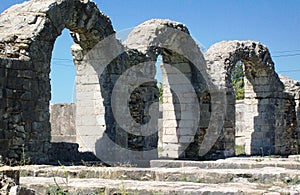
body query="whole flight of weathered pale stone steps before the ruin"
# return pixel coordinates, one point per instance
(255, 175)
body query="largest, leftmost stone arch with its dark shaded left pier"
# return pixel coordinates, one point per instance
(27, 33)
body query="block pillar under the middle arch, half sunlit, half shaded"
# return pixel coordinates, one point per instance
(180, 103)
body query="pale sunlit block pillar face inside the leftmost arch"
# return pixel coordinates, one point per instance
(90, 122)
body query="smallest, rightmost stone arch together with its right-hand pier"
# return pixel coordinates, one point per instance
(270, 122)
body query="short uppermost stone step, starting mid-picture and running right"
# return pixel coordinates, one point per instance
(233, 163)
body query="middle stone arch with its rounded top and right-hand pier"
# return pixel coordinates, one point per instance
(182, 57)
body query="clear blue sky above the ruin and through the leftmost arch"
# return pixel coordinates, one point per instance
(275, 23)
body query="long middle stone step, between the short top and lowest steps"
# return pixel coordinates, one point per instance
(264, 175)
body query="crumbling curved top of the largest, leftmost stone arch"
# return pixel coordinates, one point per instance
(43, 21)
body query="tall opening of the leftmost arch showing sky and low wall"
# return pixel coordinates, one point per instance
(62, 81)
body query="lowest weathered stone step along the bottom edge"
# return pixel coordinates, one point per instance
(74, 186)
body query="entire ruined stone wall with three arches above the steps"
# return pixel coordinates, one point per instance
(198, 111)
